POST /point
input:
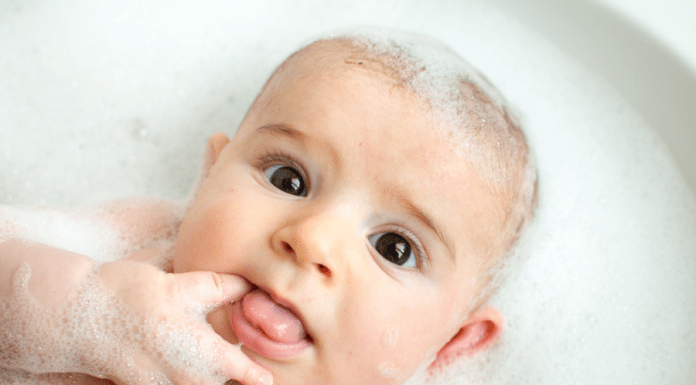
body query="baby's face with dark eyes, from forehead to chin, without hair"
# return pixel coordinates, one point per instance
(355, 221)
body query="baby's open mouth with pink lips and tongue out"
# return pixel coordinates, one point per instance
(268, 328)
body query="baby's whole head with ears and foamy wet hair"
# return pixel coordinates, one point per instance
(367, 195)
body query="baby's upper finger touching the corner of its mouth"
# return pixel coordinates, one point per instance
(211, 288)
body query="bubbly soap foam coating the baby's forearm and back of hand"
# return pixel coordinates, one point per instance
(95, 334)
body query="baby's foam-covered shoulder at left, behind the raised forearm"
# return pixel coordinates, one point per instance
(105, 231)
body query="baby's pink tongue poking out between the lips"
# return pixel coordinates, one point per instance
(275, 321)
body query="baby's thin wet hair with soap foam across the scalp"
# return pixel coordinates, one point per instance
(460, 102)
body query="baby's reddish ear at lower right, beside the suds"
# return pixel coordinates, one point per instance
(481, 329)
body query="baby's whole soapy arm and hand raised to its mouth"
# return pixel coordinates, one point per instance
(125, 320)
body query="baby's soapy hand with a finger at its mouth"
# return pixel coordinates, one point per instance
(164, 335)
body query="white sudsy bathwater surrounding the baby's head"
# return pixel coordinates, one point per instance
(106, 102)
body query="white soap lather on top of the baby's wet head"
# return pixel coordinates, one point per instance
(461, 103)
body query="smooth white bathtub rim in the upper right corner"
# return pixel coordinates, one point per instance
(645, 49)
